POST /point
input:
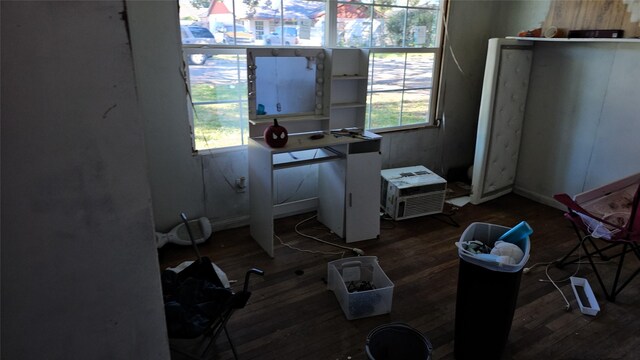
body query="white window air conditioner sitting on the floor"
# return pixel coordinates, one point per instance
(412, 191)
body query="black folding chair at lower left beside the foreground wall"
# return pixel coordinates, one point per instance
(198, 304)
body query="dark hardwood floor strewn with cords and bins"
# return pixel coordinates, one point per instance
(292, 315)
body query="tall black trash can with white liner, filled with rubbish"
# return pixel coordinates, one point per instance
(486, 297)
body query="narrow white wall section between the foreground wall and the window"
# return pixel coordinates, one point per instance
(175, 174)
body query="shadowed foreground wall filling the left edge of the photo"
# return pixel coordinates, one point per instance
(80, 275)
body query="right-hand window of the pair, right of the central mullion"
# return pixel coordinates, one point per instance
(403, 38)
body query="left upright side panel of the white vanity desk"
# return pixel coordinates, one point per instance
(261, 196)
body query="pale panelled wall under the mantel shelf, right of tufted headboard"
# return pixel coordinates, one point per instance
(581, 124)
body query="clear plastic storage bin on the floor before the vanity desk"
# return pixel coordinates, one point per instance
(371, 290)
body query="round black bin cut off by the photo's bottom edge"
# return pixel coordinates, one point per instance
(397, 341)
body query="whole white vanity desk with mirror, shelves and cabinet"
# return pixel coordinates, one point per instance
(311, 91)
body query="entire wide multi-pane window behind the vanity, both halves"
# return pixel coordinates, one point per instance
(403, 37)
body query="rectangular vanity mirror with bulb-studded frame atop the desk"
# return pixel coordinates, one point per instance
(285, 83)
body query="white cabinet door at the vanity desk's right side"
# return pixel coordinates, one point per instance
(362, 217)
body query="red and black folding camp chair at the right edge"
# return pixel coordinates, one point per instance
(610, 214)
